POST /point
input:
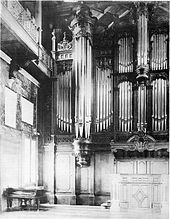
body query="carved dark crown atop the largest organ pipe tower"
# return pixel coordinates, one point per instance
(83, 22)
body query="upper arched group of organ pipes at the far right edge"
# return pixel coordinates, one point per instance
(159, 51)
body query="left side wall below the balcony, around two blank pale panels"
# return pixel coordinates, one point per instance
(18, 145)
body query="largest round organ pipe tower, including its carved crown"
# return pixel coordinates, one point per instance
(82, 64)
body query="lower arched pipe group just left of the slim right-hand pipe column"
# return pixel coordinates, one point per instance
(125, 106)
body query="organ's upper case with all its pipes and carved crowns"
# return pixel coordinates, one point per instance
(117, 85)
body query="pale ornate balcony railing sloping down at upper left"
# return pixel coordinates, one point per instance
(27, 21)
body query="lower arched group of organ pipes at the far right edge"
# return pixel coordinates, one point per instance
(159, 105)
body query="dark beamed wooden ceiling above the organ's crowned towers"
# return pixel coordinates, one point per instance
(60, 13)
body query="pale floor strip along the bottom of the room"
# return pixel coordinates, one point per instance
(78, 212)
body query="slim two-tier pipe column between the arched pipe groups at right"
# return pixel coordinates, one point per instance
(142, 63)
